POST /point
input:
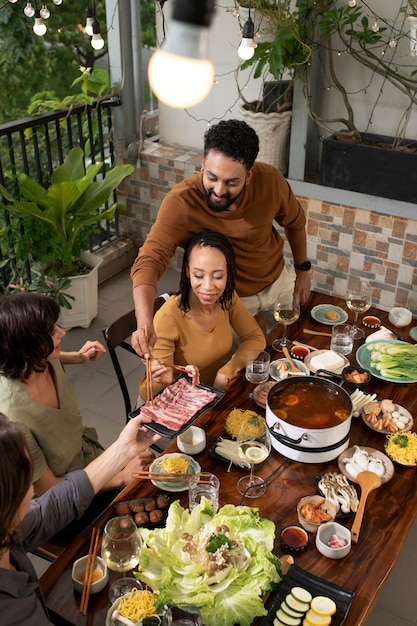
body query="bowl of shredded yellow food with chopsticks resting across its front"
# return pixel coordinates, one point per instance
(175, 463)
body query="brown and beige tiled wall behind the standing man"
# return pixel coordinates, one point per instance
(344, 243)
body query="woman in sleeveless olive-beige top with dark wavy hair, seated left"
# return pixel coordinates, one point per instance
(36, 392)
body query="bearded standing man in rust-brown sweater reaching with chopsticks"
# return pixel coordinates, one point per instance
(241, 198)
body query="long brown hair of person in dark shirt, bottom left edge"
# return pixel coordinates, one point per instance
(15, 478)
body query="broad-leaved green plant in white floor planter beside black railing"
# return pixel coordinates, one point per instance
(58, 221)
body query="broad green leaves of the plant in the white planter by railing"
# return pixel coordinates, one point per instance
(59, 219)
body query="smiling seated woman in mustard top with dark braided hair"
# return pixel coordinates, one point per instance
(194, 327)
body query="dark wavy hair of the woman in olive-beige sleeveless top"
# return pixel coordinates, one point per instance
(27, 322)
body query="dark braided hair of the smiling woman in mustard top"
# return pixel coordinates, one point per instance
(218, 241)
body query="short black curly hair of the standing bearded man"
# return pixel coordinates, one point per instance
(235, 139)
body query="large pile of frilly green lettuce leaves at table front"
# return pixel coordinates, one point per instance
(220, 562)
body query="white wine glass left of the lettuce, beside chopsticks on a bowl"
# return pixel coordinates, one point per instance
(120, 549)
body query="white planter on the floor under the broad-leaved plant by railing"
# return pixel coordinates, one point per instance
(85, 291)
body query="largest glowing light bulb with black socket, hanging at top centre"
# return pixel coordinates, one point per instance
(180, 74)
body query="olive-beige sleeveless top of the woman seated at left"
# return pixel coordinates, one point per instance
(56, 437)
